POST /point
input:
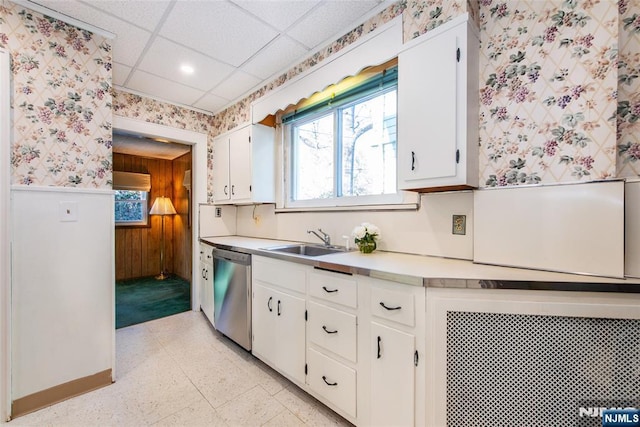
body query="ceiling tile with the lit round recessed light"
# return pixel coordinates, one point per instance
(164, 58)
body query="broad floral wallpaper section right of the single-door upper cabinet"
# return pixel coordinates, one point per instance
(548, 87)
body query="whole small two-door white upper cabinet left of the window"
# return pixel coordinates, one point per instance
(244, 166)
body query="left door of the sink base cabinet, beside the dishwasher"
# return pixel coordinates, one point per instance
(263, 324)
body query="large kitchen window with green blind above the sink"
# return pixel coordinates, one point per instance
(341, 150)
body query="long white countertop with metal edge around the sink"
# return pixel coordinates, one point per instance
(418, 266)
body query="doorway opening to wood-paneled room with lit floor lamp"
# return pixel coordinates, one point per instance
(153, 239)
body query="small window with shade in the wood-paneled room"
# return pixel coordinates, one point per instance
(131, 198)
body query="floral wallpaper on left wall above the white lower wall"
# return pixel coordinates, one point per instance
(61, 101)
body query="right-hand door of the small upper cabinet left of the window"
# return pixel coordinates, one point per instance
(240, 164)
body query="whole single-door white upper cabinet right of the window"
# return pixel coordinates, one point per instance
(438, 110)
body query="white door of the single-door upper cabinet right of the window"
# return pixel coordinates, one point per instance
(427, 84)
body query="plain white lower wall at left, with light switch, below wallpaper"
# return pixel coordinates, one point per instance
(63, 286)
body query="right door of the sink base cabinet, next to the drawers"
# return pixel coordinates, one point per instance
(290, 328)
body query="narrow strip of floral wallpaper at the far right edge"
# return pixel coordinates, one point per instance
(628, 135)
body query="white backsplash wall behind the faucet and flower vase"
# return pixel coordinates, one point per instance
(427, 231)
